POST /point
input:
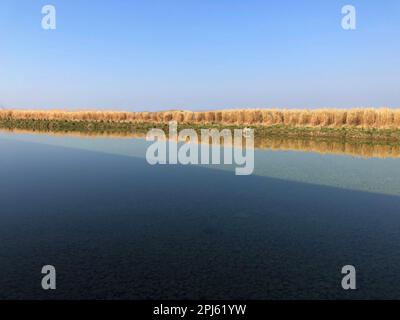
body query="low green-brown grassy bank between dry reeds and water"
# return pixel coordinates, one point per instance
(342, 133)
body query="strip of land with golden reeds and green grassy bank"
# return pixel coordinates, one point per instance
(358, 124)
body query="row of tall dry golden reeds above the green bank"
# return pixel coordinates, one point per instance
(363, 117)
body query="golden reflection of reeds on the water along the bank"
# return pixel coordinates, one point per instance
(366, 150)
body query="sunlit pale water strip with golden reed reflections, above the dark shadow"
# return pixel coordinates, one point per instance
(362, 167)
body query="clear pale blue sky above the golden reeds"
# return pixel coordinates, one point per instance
(199, 54)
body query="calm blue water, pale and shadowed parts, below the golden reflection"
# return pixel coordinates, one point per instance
(115, 227)
